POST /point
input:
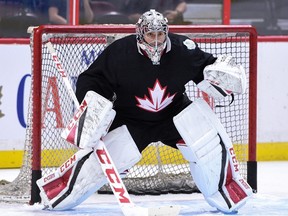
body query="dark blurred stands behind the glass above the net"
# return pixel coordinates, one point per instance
(270, 17)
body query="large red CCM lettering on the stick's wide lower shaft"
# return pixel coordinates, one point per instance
(112, 176)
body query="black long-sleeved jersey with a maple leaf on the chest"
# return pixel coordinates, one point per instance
(145, 92)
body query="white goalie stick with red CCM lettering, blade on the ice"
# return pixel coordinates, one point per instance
(108, 167)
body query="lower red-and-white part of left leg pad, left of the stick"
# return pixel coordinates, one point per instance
(77, 175)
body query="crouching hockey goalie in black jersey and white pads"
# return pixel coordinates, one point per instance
(134, 94)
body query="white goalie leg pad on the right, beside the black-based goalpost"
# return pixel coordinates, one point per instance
(210, 152)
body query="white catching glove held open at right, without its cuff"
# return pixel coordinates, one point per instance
(226, 74)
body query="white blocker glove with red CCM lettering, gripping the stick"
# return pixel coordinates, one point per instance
(90, 122)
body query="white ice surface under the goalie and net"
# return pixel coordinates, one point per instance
(271, 199)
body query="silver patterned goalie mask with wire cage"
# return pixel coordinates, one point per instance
(152, 25)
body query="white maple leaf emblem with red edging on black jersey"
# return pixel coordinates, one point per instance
(157, 100)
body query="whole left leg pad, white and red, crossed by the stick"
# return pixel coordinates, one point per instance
(81, 175)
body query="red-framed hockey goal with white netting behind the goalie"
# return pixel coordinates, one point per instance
(162, 169)
